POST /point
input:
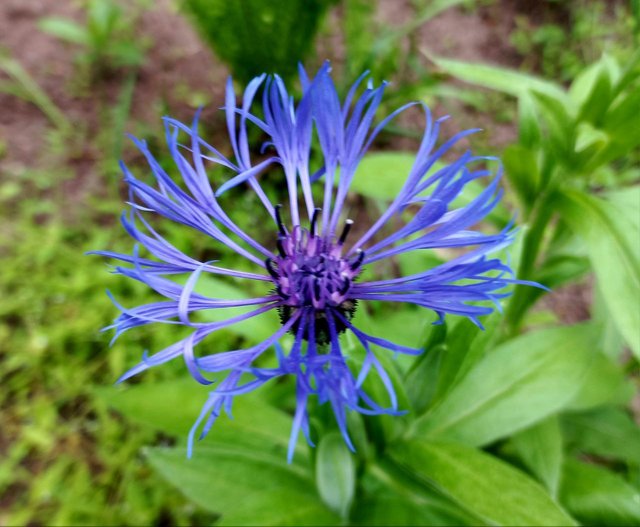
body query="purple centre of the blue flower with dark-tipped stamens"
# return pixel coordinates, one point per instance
(311, 273)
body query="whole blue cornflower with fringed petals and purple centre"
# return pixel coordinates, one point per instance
(312, 267)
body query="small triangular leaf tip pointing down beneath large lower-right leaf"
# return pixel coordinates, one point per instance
(540, 448)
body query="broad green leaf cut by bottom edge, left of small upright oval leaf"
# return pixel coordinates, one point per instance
(247, 486)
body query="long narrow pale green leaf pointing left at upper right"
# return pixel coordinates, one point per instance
(501, 79)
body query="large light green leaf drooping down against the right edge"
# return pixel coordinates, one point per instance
(612, 242)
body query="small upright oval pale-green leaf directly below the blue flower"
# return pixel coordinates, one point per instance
(335, 473)
